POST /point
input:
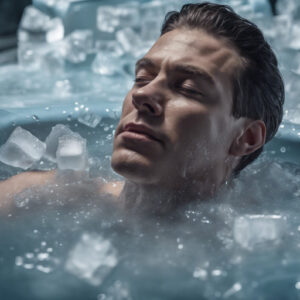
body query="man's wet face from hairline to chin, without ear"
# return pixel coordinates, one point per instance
(176, 124)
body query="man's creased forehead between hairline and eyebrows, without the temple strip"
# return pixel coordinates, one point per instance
(196, 47)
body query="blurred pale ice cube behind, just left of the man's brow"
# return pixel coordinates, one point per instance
(106, 64)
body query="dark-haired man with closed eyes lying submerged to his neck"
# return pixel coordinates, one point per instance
(206, 98)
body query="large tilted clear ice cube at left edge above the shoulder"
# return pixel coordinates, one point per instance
(22, 149)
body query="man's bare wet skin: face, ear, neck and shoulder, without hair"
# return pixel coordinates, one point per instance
(176, 132)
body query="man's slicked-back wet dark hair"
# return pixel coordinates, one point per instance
(258, 89)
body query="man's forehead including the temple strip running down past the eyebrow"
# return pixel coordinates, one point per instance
(214, 56)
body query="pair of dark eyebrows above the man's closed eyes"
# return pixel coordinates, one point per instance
(180, 68)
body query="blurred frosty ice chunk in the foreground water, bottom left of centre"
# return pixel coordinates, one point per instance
(92, 258)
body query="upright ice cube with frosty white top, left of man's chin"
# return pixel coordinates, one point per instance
(71, 153)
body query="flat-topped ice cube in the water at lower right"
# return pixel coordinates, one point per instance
(253, 230)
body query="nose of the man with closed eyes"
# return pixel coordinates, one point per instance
(148, 99)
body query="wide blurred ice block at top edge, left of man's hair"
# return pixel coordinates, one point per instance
(111, 17)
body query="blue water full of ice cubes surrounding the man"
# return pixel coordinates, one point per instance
(63, 240)
